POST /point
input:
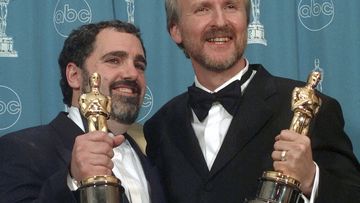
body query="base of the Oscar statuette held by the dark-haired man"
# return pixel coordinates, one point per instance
(100, 189)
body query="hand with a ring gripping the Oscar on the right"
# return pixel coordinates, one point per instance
(297, 161)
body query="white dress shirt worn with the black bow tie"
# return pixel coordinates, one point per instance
(212, 131)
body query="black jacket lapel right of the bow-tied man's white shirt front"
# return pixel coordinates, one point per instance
(251, 116)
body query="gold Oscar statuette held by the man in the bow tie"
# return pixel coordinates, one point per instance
(276, 187)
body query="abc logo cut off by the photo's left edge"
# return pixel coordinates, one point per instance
(10, 107)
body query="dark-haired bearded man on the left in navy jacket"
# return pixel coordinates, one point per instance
(46, 163)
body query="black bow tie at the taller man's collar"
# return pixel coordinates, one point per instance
(201, 101)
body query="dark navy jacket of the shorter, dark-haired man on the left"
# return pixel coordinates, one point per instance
(34, 164)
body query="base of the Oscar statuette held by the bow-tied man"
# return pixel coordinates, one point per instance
(275, 187)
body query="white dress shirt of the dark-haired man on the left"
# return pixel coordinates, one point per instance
(127, 167)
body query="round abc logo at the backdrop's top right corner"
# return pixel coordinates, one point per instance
(315, 15)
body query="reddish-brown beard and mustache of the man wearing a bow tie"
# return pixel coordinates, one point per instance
(194, 49)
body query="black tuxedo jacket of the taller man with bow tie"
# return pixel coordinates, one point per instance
(264, 110)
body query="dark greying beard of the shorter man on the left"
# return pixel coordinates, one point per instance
(124, 109)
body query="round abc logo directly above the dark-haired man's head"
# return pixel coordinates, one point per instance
(69, 14)
